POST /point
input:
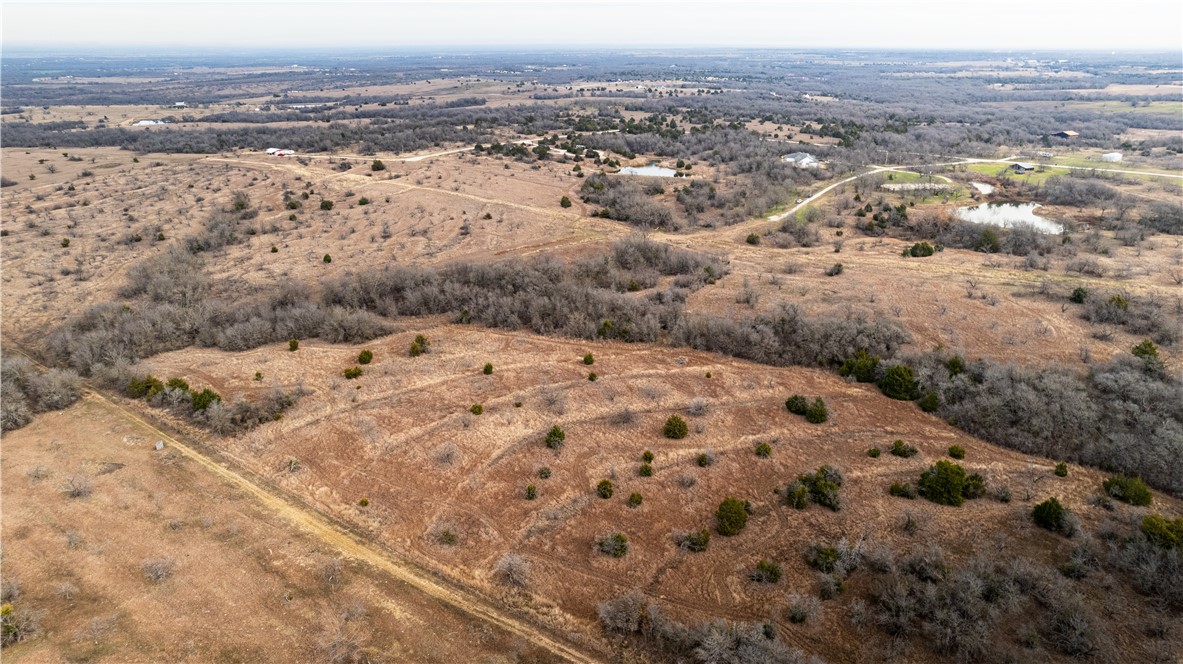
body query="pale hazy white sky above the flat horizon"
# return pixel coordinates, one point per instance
(792, 24)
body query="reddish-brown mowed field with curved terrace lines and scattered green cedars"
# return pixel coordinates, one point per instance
(404, 437)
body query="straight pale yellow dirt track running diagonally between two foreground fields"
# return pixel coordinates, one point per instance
(346, 543)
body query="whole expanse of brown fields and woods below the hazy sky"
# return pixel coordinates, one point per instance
(425, 376)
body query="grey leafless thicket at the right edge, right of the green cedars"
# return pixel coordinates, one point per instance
(1119, 416)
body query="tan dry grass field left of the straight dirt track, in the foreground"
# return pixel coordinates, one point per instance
(161, 560)
